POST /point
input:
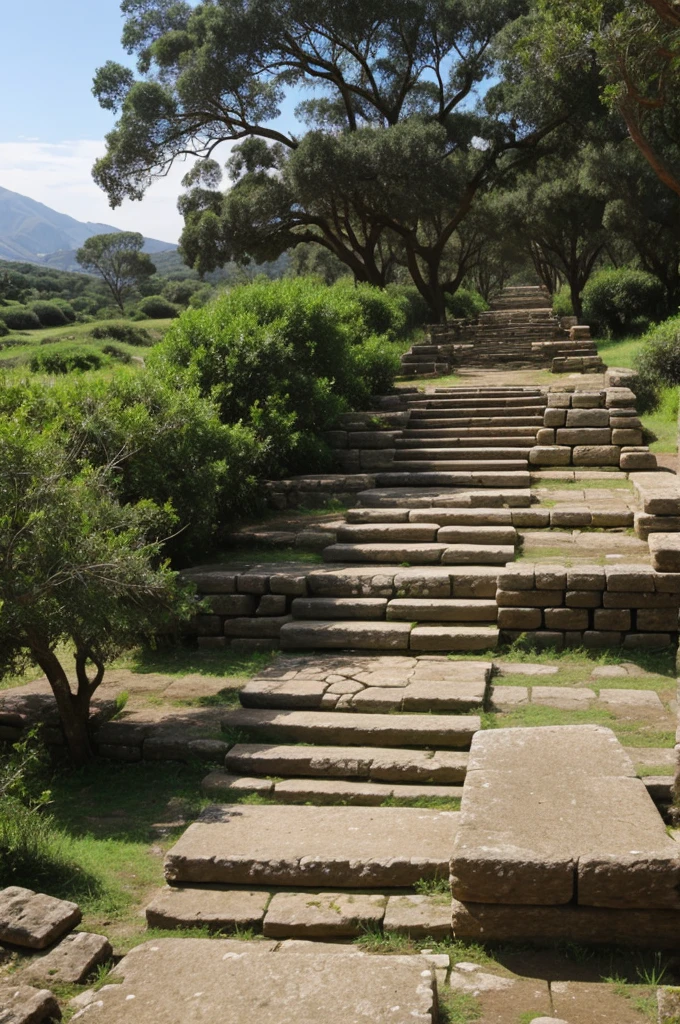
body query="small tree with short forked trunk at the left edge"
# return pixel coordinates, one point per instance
(77, 570)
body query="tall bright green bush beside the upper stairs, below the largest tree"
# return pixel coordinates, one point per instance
(285, 358)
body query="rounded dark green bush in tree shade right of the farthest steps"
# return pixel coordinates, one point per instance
(622, 302)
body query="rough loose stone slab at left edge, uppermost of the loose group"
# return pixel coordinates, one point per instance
(35, 920)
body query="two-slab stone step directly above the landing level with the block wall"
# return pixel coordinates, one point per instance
(487, 553)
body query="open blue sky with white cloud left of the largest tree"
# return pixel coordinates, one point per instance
(53, 129)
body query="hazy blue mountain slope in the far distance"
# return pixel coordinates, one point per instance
(33, 233)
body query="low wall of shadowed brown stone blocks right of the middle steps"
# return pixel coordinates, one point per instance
(589, 606)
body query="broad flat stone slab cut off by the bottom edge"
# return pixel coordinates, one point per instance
(174, 982)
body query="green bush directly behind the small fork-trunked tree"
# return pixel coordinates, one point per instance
(168, 443)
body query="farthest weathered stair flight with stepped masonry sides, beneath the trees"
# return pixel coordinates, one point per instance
(520, 331)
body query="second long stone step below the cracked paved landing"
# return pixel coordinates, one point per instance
(373, 764)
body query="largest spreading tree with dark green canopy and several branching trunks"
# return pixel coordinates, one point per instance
(395, 153)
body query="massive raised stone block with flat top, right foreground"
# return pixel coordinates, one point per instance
(539, 855)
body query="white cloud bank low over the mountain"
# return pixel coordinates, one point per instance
(60, 176)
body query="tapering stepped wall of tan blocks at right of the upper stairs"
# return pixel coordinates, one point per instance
(592, 429)
